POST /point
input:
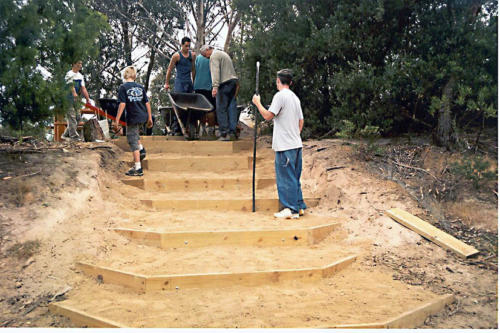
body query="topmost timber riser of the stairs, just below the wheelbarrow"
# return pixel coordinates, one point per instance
(159, 144)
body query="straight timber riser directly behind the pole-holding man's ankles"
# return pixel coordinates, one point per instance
(245, 205)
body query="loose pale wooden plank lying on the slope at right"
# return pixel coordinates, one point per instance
(432, 233)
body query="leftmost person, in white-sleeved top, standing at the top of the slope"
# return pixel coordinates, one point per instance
(74, 79)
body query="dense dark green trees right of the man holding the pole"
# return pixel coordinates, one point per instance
(374, 63)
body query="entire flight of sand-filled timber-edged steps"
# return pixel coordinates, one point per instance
(247, 278)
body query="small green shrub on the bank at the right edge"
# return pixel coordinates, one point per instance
(476, 169)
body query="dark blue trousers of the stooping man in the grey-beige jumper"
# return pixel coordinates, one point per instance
(226, 111)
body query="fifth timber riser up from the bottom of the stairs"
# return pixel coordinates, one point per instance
(167, 185)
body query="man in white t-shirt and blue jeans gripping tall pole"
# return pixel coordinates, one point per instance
(288, 120)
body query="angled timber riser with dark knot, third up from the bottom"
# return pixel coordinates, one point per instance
(292, 237)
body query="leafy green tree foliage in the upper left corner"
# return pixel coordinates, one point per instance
(39, 40)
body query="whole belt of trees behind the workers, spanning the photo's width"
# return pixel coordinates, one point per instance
(387, 66)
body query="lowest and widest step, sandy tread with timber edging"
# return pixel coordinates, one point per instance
(355, 297)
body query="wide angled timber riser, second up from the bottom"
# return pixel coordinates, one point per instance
(214, 280)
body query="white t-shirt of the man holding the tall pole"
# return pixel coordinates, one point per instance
(287, 113)
